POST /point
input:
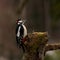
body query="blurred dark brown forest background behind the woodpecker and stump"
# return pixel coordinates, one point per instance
(40, 15)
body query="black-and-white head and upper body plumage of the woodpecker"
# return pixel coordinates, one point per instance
(21, 29)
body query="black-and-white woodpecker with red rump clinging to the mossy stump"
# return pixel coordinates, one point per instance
(21, 33)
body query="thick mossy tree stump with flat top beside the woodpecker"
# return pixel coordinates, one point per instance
(35, 45)
